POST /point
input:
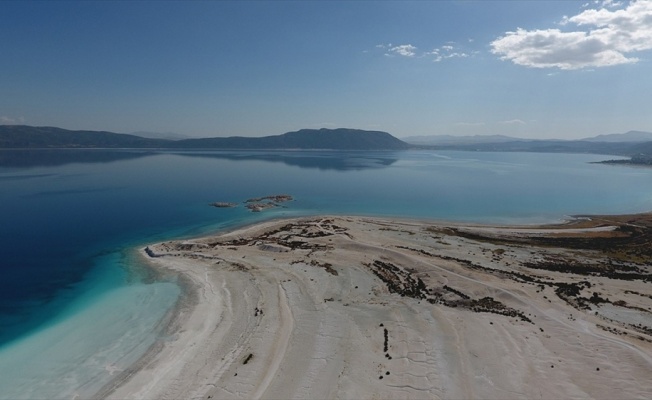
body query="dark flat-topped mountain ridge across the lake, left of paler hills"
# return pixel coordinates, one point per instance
(21, 136)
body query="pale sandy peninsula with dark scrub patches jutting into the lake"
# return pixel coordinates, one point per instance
(371, 308)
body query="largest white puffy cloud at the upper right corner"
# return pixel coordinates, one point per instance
(609, 37)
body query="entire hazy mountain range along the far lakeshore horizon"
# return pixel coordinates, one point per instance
(635, 144)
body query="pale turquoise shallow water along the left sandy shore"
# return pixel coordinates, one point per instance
(102, 331)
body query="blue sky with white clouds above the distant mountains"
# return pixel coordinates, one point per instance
(533, 69)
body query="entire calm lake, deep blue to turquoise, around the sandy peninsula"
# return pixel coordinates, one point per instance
(69, 220)
